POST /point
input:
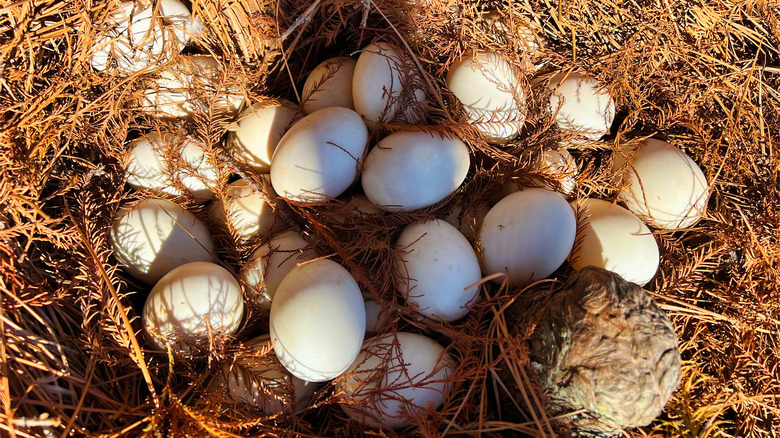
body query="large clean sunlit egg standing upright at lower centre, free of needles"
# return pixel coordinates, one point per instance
(318, 321)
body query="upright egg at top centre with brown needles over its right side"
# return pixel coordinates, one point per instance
(377, 83)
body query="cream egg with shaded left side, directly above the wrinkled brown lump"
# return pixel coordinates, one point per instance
(614, 239)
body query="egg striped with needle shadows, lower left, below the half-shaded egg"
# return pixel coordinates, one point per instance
(191, 304)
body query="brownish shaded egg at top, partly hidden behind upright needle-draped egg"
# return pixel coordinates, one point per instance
(329, 84)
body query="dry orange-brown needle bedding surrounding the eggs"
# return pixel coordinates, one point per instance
(703, 74)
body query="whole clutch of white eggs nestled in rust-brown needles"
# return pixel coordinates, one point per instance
(322, 326)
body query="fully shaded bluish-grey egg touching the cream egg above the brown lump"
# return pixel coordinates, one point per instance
(527, 235)
